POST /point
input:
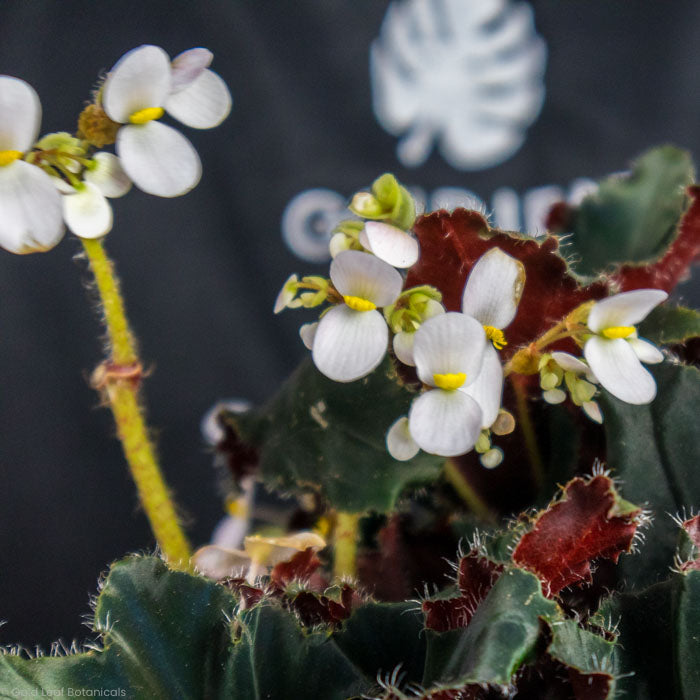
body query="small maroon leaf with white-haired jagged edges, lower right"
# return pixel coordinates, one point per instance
(588, 522)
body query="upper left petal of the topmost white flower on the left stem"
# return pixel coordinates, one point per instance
(139, 79)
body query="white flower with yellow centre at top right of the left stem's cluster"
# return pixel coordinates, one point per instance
(139, 88)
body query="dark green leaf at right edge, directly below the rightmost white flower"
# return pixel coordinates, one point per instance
(654, 450)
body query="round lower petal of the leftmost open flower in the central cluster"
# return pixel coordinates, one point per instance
(349, 344)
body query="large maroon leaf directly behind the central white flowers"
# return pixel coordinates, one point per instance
(452, 242)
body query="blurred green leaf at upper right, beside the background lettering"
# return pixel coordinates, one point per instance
(632, 218)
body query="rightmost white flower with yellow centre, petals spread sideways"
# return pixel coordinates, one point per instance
(614, 351)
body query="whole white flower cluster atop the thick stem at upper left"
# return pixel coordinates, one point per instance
(60, 179)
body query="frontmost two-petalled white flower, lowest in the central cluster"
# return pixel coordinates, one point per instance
(448, 350)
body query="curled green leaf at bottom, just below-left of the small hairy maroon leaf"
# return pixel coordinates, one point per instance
(499, 638)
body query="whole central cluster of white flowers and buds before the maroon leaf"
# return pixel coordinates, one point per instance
(456, 355)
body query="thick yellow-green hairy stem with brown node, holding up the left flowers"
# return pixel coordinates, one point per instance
(118, 377)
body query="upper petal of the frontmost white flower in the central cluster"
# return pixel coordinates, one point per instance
(449, 344)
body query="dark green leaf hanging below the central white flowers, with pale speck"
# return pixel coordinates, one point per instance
(325, 435)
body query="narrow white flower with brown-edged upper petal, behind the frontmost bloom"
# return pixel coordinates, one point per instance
(491, 295)
